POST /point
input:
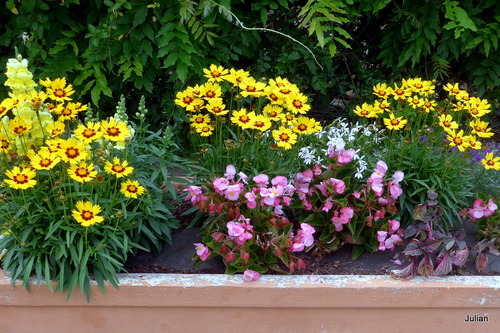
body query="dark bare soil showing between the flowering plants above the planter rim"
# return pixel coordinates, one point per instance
(179, 257)
